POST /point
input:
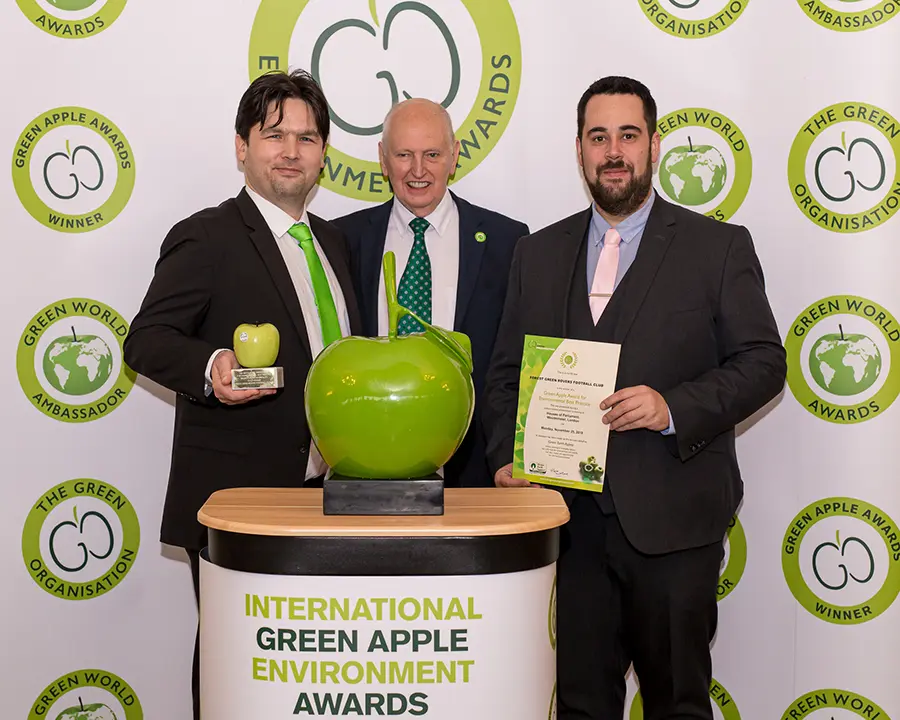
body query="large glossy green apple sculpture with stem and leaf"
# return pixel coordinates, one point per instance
(394, 407)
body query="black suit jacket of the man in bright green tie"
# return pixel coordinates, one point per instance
(217, 269)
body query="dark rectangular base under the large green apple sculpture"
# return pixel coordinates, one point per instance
(360, 496)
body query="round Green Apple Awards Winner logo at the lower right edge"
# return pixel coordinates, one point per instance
(841, 560)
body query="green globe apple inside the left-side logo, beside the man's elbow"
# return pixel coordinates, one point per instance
(78, 365)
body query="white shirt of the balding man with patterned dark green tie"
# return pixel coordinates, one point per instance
(442, 244)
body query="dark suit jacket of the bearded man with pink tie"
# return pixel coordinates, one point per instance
(694, 323)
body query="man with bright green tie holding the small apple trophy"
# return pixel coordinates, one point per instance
(258, 257)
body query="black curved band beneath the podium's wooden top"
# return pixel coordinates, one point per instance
(397, 556)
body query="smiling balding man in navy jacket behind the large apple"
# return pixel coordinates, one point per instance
(453, 257)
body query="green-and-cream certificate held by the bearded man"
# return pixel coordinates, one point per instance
(560, 435)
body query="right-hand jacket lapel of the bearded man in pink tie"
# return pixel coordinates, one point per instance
(655, 242)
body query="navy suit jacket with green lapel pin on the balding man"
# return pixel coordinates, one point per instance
(481, 289)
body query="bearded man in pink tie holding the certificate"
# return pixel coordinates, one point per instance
(700, 352)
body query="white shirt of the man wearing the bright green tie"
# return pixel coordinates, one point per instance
(279, 223)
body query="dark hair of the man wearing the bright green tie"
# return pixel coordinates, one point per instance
(276, 87)
